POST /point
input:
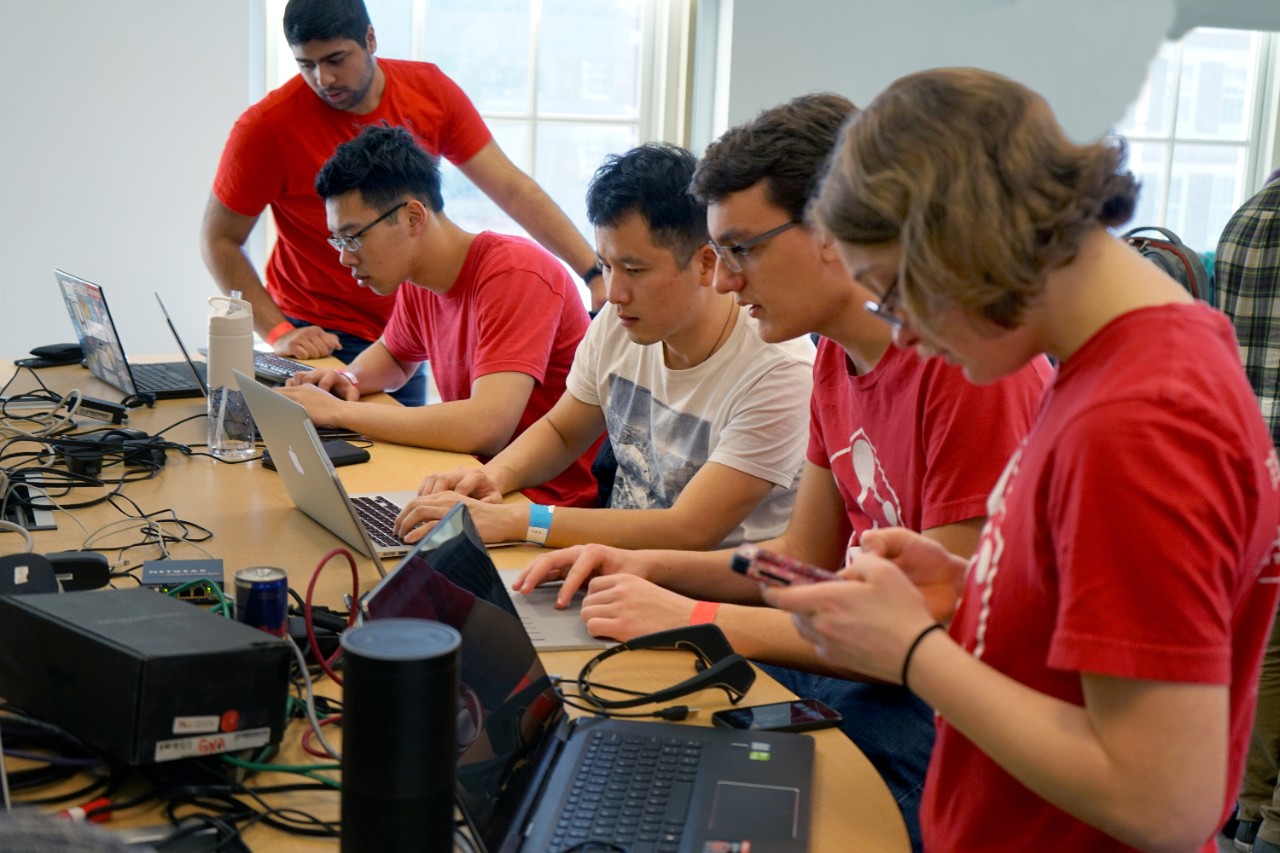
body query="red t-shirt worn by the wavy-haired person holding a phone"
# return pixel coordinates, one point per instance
(1128, 539)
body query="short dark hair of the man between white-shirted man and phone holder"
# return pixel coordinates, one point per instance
(787, 147)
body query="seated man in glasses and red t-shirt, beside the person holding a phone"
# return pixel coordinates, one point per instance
(893, 441)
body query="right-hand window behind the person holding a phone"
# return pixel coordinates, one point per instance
(1200, 134)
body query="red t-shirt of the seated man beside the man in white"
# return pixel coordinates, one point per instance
(514, 308)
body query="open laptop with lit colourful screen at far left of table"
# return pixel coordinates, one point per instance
(104, 354)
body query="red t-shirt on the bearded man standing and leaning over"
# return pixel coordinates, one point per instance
(273, 157)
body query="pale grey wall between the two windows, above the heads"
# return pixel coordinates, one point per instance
(1089, 58)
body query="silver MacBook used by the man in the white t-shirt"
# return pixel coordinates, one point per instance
(363, 522)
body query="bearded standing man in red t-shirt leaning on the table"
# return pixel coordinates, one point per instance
(308, 308)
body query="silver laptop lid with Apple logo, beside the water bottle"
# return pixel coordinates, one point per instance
(309, 476)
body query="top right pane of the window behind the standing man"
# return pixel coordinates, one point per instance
(577, 80)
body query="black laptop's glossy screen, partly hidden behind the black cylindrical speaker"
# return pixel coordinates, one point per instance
(508, 709)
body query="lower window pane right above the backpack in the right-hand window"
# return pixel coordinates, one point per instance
(1205, 193)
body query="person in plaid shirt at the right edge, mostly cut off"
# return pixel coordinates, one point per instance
(1247, 282)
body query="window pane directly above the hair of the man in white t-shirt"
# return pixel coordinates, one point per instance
(569, 156)
